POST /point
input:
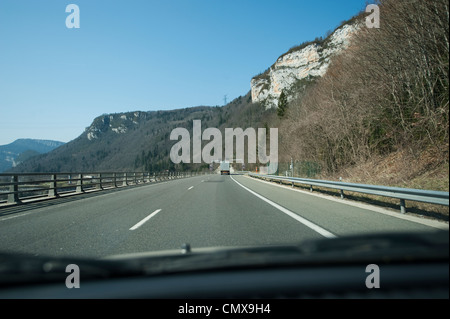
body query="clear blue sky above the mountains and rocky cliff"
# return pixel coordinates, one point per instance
(141, 55)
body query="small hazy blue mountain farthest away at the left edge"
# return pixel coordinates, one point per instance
(22, 149)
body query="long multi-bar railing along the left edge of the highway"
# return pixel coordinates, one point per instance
(18, 187)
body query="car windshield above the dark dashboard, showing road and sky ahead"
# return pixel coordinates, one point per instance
(135, 127)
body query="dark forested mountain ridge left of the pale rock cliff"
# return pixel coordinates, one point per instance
(135, 141)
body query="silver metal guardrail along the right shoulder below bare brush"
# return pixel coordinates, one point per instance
(418, 195)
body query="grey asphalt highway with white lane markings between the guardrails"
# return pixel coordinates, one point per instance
(204, 211)
